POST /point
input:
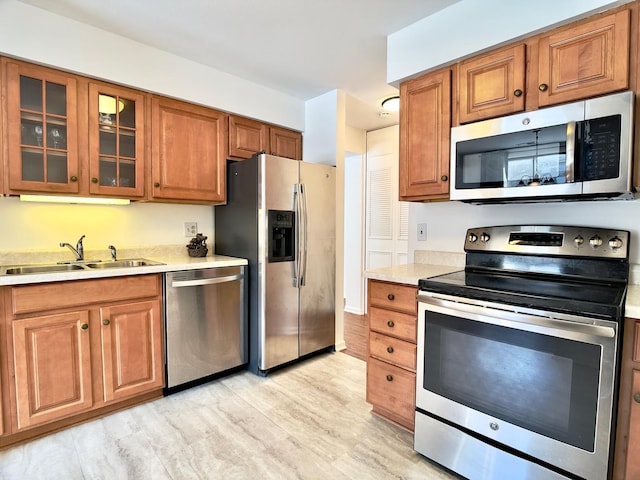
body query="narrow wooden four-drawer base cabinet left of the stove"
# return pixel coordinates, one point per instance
(391, 362)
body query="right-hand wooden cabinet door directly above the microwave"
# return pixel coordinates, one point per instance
(585, 60)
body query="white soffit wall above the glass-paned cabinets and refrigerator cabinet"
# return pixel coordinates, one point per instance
(41, 37)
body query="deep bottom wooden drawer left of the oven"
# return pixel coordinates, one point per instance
(392, 389)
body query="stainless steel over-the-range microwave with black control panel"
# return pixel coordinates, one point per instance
(578, 151)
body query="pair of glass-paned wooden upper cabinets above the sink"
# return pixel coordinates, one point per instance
(69, 136)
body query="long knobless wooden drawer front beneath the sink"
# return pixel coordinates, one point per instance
(42, 297)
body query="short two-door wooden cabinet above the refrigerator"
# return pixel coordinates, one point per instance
(247, 137)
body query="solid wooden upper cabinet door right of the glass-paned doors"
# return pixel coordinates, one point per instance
(189, 152)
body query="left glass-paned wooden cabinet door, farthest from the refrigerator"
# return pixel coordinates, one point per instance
(42, 130)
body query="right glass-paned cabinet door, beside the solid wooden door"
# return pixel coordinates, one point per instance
(116, 141)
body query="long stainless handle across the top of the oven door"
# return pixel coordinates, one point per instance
(482, 312)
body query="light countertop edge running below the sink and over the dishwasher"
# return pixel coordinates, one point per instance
(168, 264)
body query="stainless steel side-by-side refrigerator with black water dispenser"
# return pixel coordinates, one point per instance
(280, 215)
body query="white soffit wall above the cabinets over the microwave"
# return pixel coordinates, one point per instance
(470, 26)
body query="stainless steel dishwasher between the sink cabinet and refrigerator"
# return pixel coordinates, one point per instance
(205, 324)
